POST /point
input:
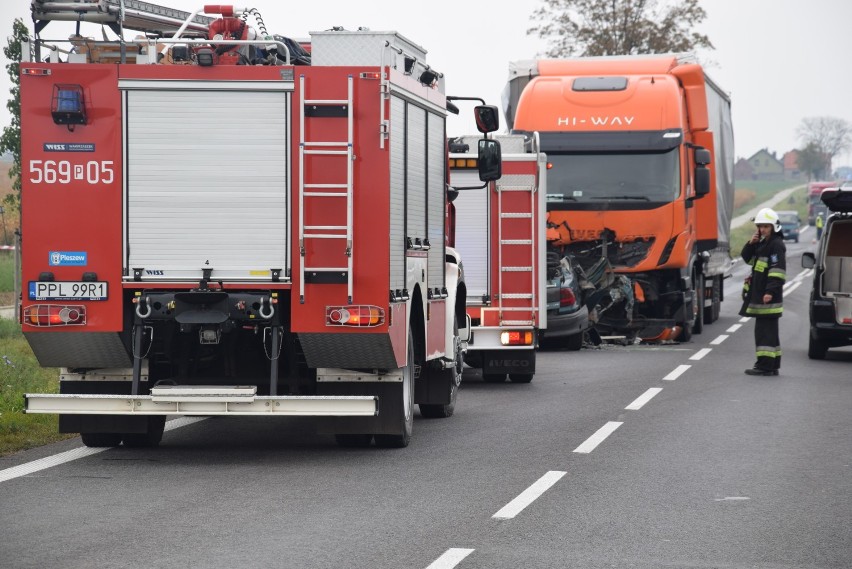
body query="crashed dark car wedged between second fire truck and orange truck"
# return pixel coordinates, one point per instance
(567, 315)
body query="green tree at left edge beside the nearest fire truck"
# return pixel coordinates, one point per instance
(10, 140)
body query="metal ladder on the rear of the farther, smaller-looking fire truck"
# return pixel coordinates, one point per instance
(526, 241)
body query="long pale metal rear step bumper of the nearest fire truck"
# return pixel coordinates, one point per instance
(200, 401)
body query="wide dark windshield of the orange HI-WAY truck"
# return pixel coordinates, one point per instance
(609, 176)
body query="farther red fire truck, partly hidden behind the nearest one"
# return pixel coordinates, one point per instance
(500, 235)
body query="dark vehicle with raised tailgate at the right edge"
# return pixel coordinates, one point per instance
(831, 294)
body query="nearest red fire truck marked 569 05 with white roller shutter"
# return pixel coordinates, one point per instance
(218, 222)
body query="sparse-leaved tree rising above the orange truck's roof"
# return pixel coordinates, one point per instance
(618, 27)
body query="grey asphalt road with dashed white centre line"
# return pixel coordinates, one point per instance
(613, 457)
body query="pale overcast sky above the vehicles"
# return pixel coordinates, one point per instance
(780, 60)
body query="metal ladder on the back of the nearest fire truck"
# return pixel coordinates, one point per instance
(309, 191)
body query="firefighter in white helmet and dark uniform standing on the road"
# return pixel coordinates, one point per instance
(763, 290)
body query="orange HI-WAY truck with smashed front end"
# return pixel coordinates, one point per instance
(639, 184)
